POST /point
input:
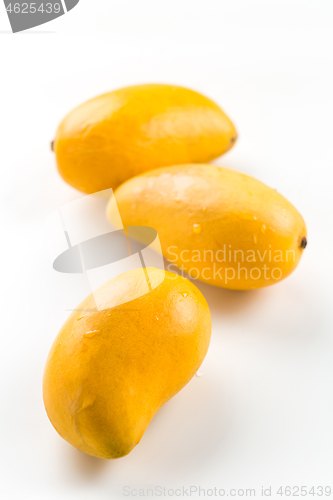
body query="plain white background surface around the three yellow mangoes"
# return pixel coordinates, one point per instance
(262, 413)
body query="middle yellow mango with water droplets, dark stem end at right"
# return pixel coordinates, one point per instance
(201, 212)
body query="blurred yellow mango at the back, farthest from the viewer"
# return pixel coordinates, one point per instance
(118, 135)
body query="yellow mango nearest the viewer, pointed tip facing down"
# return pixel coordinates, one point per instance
(102, 388)
